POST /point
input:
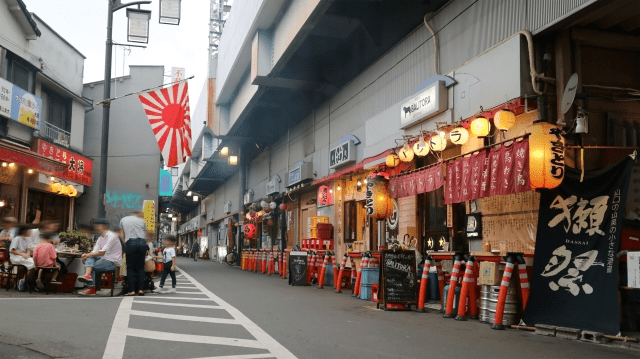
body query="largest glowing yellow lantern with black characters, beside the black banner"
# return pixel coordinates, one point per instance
(546, 156)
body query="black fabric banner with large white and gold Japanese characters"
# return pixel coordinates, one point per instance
(575, 279)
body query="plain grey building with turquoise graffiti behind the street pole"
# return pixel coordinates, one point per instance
(133, 160)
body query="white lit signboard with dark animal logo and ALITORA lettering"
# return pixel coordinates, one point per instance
(428, 103)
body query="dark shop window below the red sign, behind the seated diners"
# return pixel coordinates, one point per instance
(43, 206)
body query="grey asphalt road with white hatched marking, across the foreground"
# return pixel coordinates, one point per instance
(220, 311)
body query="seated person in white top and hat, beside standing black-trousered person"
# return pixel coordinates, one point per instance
(110, 256)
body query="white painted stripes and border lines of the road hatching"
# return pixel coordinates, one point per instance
(191, 298)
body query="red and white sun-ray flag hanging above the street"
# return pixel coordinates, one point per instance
(168, 112)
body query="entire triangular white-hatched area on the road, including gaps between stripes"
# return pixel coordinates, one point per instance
(197, 318)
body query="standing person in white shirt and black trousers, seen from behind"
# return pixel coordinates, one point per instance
(136, 250)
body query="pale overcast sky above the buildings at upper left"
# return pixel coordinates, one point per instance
(83, 23)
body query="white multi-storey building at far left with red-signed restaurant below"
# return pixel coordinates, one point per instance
(42, 117)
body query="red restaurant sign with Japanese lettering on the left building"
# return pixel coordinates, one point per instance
(78, 168)
